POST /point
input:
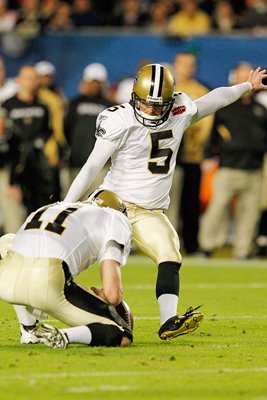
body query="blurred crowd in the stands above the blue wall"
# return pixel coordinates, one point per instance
(31, 18)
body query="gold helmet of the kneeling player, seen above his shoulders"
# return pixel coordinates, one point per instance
(106, 198)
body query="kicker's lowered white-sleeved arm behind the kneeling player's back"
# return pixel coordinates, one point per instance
(97, 159)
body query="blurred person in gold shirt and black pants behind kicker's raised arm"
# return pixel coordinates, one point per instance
(184, 210)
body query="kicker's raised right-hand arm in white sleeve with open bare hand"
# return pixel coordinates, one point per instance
(223, 96)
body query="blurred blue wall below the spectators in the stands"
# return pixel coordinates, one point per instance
(122, 52)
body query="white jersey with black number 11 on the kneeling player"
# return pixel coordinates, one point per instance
(77, 233)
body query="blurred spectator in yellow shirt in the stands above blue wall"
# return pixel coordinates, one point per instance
(190, 20)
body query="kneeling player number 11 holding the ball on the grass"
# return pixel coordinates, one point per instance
(53, 246)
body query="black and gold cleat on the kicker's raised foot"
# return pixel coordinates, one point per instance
(181, 324)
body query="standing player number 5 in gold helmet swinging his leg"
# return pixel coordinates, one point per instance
(142, 138)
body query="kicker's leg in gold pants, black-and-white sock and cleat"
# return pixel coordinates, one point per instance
(156, 237)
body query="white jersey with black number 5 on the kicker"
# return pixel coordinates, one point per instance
(144, 158)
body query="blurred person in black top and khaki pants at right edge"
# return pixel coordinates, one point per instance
(239, 142)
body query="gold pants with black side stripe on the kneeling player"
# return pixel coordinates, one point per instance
(41, 283)
